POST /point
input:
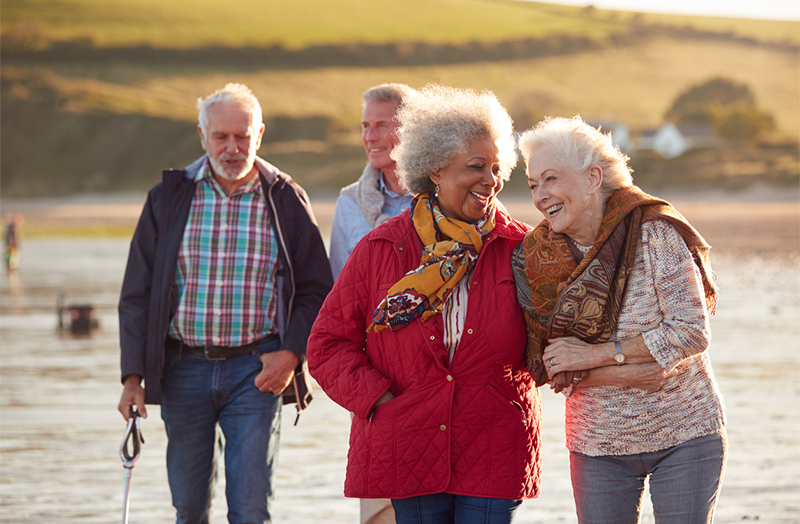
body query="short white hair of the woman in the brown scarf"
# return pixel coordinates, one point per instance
(579, 146)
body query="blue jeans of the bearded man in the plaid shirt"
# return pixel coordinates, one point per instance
(198, 396)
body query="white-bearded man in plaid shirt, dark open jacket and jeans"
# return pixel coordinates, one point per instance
(226, 273)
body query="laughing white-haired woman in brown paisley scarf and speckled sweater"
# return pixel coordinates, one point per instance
(617, 288)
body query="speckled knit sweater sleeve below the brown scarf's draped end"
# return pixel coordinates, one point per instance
(684, 329)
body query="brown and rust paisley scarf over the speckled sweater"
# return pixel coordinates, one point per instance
(565, 298)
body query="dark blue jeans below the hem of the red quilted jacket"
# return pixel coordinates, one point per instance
(444, 508)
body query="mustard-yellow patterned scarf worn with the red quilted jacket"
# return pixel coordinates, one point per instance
(451, 250)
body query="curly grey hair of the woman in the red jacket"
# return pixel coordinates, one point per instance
(438, 122)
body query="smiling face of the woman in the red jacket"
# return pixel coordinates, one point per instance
(469, 184)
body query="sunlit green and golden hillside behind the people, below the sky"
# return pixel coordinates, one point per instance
(98, 95)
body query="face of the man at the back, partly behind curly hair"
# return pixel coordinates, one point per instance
(379, 134)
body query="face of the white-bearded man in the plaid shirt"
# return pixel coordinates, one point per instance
(231, 141)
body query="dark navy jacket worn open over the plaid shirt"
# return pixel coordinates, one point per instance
(302, 278)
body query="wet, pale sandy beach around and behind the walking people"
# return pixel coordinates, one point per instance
(60, 432)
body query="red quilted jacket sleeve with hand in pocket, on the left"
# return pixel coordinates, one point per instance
(336, 348)
